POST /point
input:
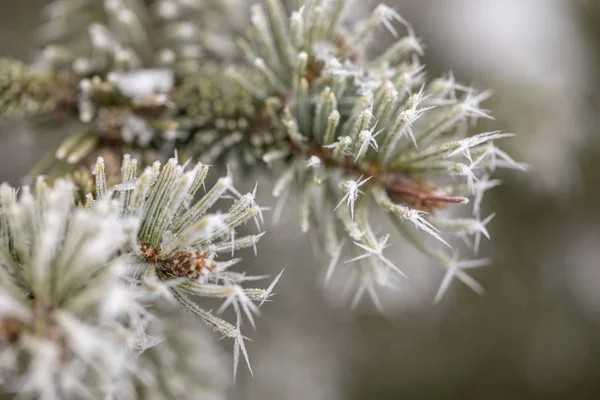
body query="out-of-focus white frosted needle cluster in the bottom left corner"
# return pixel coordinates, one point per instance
(70, 322)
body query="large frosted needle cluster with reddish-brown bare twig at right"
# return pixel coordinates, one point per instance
(367, 128)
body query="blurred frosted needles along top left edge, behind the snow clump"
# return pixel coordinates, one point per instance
(95, 38)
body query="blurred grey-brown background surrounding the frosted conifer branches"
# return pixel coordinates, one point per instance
(535, 334)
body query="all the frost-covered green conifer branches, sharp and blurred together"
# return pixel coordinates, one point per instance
(344, 129)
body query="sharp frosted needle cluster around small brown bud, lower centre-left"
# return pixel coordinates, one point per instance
(179, 242)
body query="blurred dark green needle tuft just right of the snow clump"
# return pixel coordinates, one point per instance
(222, 122)
